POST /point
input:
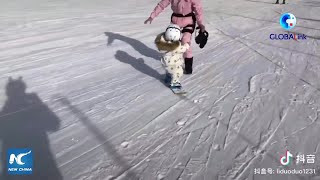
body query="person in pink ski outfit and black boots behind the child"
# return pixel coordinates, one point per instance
(186, 13)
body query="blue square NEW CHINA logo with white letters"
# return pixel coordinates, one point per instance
(20, 161)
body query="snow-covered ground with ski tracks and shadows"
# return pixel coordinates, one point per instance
(95, 106)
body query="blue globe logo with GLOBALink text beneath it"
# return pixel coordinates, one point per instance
(288, 21)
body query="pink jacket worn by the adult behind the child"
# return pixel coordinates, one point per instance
(181, 7)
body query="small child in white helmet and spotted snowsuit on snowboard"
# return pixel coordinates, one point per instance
(172, 60)
